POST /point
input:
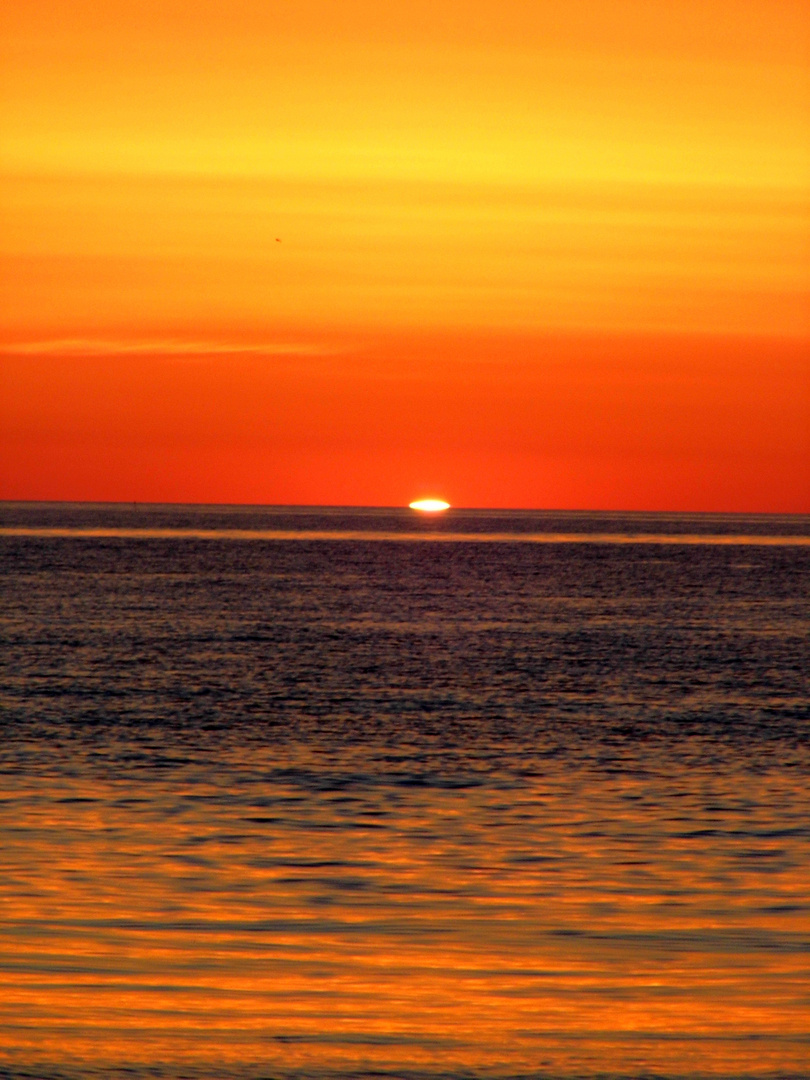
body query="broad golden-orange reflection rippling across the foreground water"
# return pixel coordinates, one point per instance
(579, 922)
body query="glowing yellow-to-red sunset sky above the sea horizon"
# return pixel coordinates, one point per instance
(525, 253)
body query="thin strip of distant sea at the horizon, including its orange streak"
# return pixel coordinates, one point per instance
(133, 520)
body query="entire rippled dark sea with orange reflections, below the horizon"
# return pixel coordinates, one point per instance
(331, 793)
